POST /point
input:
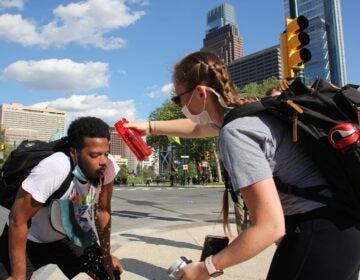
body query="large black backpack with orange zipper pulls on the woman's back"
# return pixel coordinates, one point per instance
(311, 114)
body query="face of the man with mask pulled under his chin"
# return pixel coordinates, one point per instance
(92, 158)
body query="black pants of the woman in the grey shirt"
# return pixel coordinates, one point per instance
(315, 248)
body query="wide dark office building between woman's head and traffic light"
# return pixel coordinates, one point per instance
(256, 67)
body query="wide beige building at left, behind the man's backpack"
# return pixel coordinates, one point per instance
(27, 122)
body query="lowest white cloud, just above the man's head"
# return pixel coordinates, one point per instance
(93, 105)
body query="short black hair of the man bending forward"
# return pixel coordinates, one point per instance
(86, 127)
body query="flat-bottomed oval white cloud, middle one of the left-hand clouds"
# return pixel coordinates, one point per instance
(57, 75)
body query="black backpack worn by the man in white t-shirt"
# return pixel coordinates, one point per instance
(19, 164)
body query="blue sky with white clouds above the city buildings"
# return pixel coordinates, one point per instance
(114, 58)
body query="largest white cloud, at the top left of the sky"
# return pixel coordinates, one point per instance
(85, 23)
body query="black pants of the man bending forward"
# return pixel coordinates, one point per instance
(70, 258)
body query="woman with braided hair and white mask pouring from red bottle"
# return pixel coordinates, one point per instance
(254, 149)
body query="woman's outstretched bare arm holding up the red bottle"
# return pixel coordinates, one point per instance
(184, 128)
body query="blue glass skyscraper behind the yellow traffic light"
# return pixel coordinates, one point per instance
(326, 39)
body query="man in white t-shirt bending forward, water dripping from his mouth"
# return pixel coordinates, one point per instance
(30, 241)
